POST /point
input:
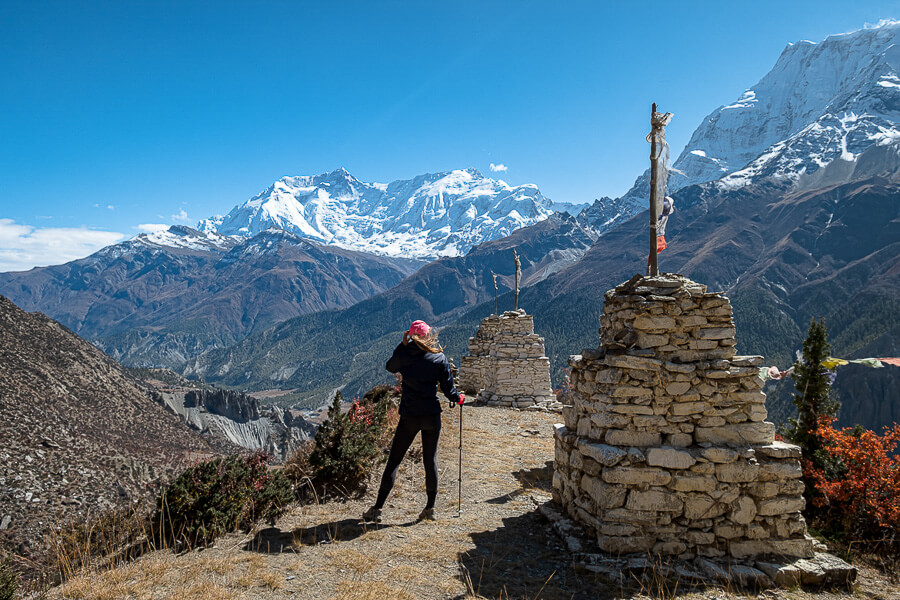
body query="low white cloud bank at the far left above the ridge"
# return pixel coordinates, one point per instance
(23, 246)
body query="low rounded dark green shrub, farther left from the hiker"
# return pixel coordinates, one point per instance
(219, 496)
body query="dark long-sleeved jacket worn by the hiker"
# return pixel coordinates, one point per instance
(422, 373)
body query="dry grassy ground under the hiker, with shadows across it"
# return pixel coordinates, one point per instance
(499, 547)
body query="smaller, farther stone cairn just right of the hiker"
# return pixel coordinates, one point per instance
(506, 365)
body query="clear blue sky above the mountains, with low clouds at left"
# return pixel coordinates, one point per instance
(119, 114)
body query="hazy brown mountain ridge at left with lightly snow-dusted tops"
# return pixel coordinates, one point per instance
(158, 299)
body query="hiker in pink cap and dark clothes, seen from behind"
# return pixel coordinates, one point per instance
(421, 361)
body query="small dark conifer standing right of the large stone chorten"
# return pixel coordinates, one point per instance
(813, 396)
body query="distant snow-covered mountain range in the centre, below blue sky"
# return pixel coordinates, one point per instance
(432, 215)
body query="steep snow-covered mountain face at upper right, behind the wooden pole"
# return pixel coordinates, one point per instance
(820, 102)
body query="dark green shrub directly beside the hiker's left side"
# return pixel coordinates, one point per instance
(349, 445)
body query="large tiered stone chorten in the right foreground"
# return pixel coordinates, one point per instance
(666, 448)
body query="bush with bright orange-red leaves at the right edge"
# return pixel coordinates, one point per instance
(863, 496)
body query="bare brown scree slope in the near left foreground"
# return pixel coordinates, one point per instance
(78, 434)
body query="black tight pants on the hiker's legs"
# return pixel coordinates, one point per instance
(407, 428)
